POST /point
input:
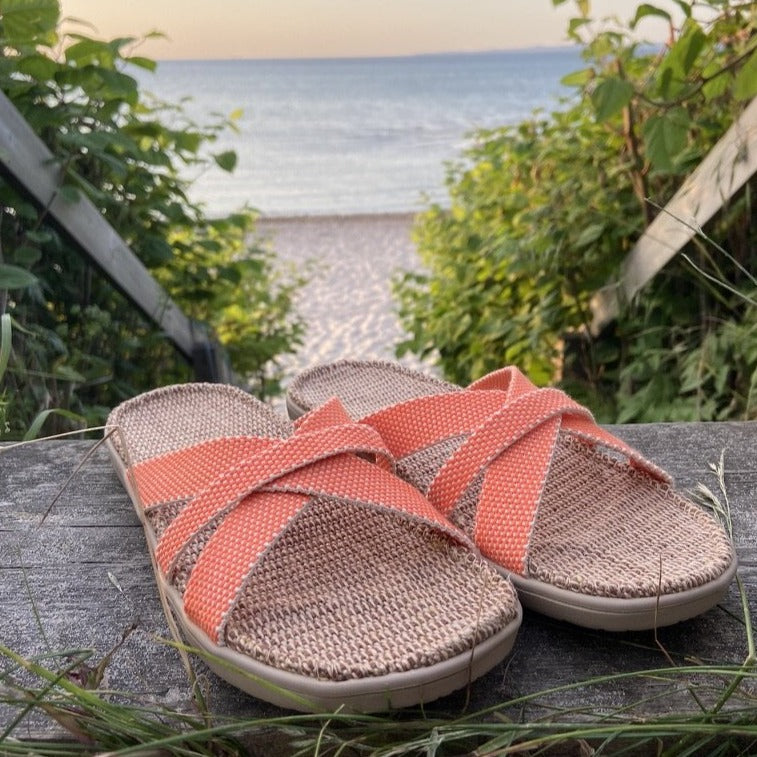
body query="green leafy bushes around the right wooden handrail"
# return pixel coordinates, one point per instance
(542, 213)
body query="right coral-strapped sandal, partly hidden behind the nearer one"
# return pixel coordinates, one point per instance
(588, 530)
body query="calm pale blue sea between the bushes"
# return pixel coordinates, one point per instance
(364, 135)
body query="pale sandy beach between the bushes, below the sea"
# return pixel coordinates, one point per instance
(347, 303)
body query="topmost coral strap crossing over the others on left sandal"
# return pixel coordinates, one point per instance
(281, 457)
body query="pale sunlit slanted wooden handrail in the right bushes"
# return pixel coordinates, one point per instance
(725, 169)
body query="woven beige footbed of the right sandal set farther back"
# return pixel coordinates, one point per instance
(602, 527)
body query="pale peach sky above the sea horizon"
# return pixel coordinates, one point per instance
(200, 29)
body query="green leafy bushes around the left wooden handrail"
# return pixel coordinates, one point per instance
(78, 344)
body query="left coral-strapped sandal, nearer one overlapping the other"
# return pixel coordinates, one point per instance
(309, 573)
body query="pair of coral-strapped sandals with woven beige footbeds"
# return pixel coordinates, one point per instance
(374, 554)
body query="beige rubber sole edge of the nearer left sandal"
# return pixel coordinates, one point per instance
(305, 694)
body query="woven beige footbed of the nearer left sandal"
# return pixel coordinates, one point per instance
(345, 591)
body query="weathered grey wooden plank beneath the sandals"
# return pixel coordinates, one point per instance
(58, 588)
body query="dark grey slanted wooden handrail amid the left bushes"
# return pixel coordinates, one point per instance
(31, 165)
